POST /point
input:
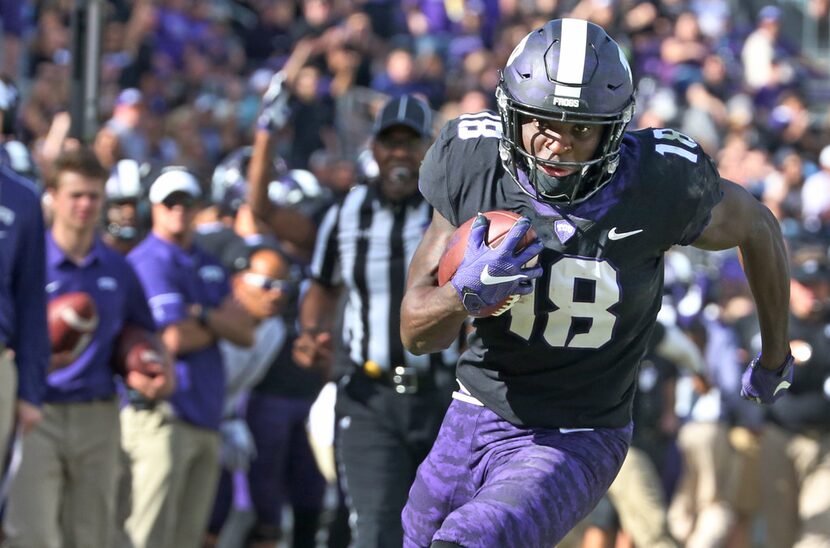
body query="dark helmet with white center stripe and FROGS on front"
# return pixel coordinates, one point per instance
(569, 71)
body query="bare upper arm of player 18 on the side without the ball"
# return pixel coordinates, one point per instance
(732, 219)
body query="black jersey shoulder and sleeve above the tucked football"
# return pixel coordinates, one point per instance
(465, 154)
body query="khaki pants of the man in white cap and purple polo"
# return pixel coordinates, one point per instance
(174, 468)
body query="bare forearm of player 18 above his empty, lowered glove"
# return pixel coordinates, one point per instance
(765, 264)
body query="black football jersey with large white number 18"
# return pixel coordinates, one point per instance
(566, 355)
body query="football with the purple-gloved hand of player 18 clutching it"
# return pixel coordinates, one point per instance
(491, 261)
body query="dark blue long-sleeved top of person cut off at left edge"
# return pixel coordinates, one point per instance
(22, 277)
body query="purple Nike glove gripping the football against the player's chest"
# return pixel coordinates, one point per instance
(487, 276)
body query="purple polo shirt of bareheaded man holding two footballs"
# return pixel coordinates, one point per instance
(108, 278)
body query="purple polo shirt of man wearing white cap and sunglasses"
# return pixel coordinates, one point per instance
(174, 278)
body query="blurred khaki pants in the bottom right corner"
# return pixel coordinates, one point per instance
(796, 488)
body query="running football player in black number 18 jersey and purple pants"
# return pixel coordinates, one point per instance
(542, 419)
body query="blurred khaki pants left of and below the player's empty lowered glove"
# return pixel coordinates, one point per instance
(700, 515)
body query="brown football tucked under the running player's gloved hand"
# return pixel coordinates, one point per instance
(500, 224)
